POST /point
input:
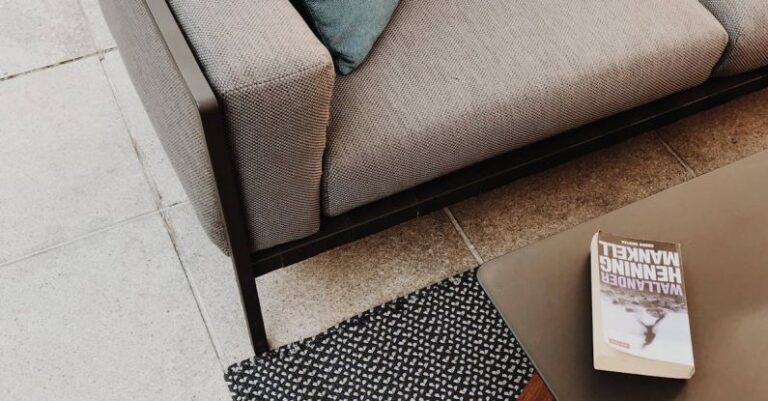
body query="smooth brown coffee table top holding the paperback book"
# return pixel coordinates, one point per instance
(721, 219)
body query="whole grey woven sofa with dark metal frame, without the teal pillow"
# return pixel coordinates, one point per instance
(282, 159)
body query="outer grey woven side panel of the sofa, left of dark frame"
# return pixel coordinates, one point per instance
(170, 106)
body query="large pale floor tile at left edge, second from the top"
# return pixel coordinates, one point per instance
(68, 166)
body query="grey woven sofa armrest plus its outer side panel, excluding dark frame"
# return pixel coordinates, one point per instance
(273, 80)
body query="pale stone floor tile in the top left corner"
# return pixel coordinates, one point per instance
(35, 34)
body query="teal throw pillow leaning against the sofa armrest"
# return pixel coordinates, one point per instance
(348, 28)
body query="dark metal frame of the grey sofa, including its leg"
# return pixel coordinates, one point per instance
(424, 198)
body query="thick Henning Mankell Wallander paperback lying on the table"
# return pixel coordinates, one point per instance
(639, 311)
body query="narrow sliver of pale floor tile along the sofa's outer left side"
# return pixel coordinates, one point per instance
(158, 167)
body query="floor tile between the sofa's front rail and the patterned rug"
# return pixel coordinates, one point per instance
(311, 296)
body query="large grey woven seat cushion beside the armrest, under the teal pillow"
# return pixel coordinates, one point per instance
(451, 83)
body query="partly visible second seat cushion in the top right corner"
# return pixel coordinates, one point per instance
(747, 24)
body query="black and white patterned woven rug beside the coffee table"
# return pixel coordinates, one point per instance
(444, 342)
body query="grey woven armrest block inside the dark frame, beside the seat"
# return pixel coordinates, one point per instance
(274, 80)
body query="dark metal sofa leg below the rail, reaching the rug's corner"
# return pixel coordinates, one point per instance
(249, 297)
